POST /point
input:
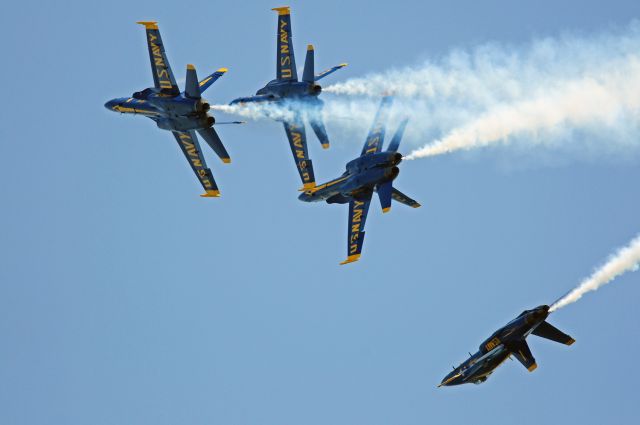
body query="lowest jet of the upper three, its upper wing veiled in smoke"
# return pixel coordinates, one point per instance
(373, 171)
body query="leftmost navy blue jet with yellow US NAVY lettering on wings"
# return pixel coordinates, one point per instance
(182, 113)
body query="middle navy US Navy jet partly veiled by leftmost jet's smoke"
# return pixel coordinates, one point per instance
(299, 97)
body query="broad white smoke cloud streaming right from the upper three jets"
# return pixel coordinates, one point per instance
(576, 94)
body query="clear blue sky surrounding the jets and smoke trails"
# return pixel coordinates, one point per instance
(127, 299)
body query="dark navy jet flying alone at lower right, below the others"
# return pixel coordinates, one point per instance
(510, 340)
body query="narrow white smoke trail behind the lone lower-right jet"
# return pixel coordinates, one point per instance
(626, 259)
